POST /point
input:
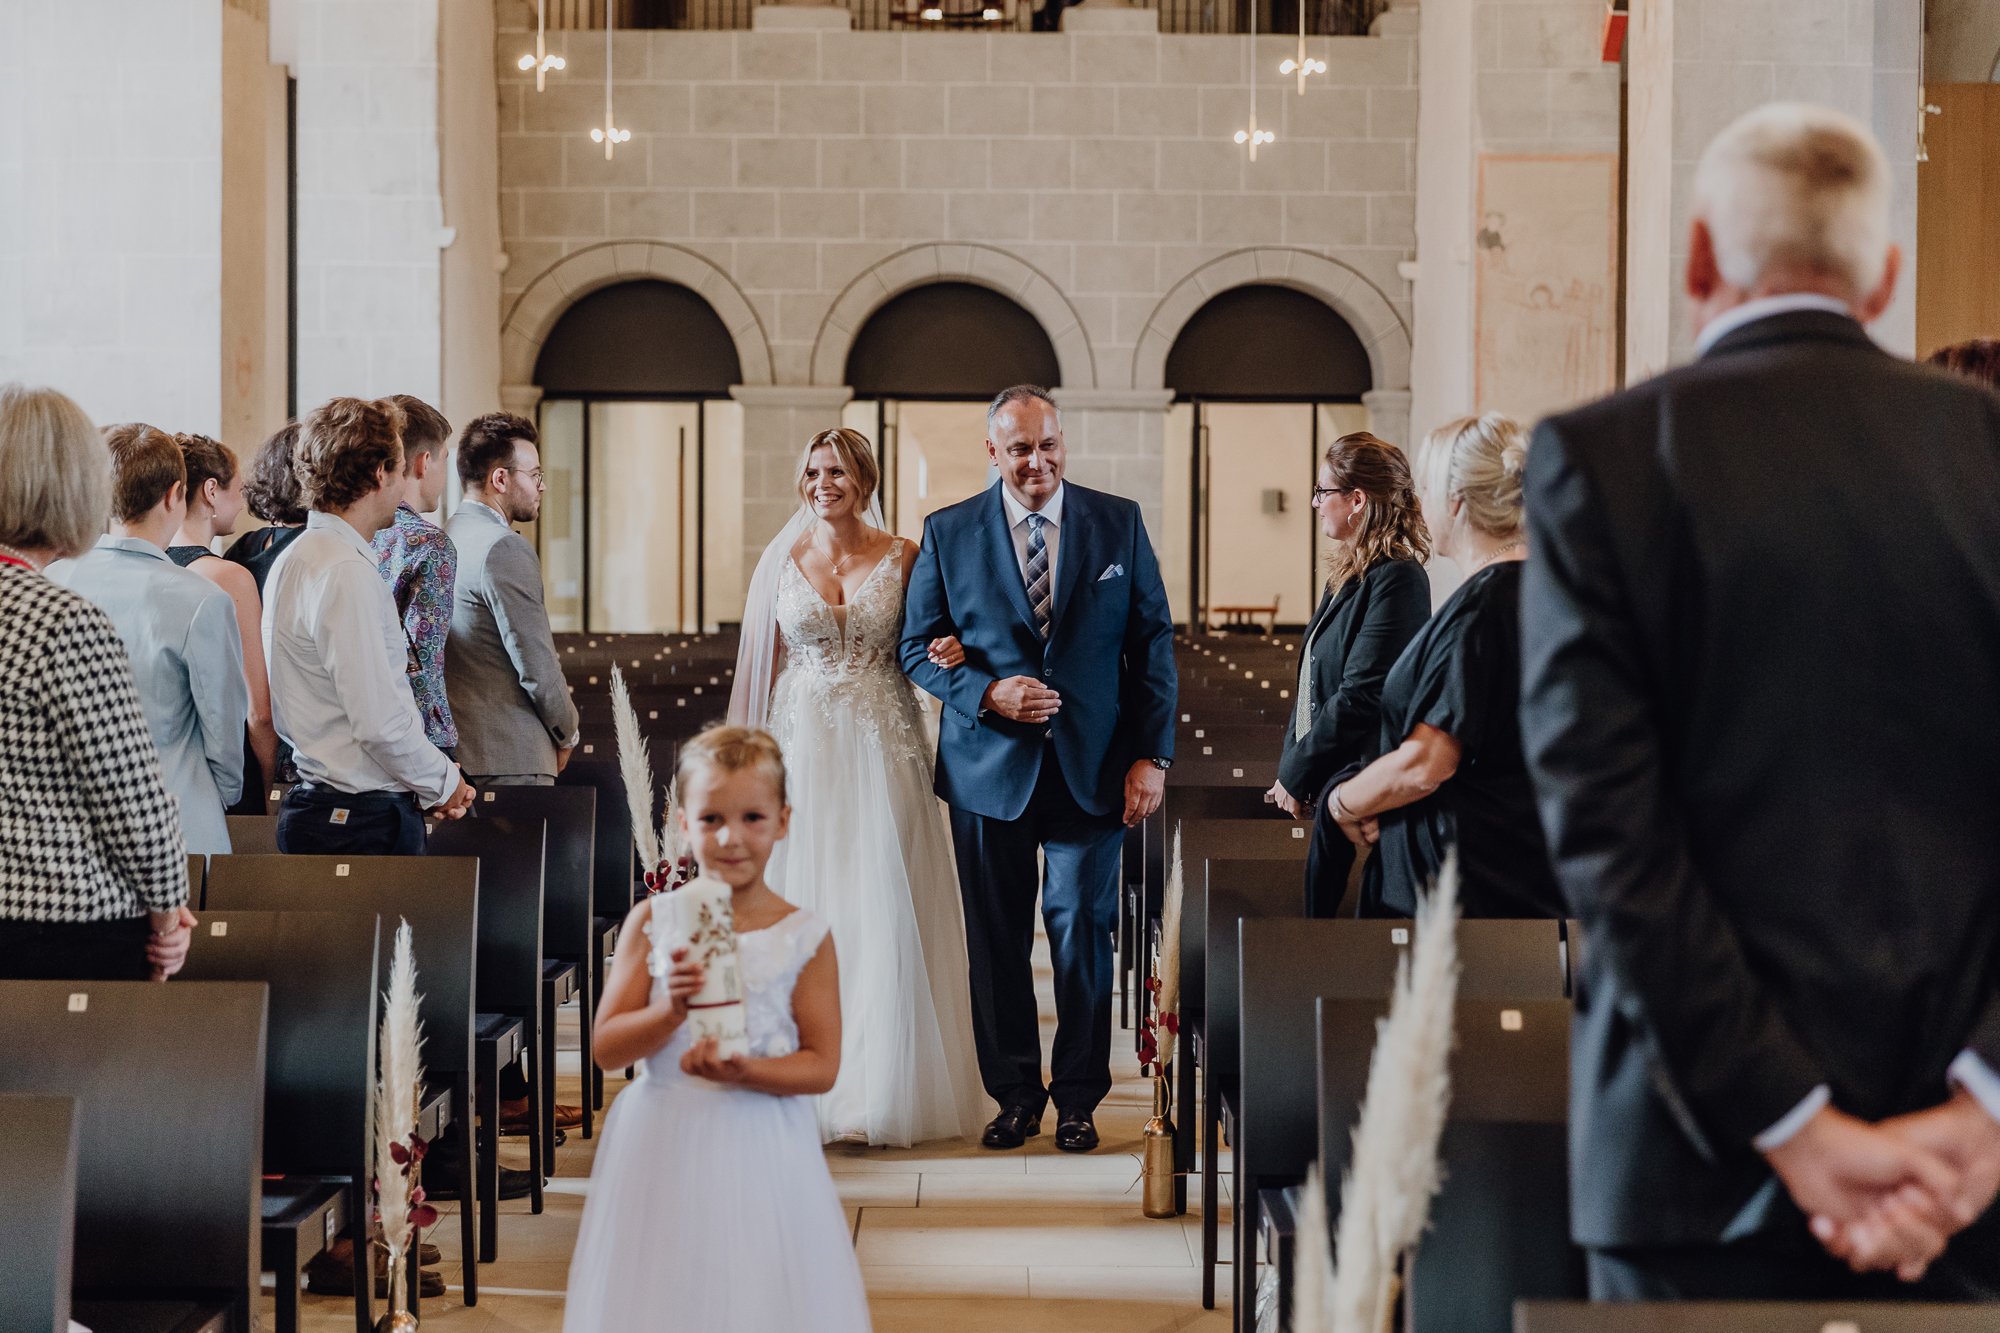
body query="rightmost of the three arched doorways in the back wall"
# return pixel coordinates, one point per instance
(1263, 377)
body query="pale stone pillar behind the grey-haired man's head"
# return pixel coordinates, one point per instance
(1699, 65)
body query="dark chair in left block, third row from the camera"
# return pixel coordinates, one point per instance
(319, 1074)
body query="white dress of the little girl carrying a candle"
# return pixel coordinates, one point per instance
(711, 1208)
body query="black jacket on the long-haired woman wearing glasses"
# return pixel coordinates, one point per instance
(1357, 635)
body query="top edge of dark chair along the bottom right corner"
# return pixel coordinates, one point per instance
(1749, 1318)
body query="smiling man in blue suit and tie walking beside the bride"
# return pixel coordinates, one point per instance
(1057, 734)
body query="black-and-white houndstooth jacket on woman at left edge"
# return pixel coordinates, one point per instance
(87, 826)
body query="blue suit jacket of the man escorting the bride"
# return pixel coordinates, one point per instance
(1111, 651)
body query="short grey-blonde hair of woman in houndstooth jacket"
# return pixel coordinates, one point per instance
(55, 473)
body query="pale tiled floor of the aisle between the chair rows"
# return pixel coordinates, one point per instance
(951, 1238)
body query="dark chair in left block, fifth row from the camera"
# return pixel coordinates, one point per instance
(509, 996)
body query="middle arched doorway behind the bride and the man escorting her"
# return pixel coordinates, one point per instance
(923, 369)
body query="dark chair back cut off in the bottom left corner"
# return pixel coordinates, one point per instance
(39, 1200)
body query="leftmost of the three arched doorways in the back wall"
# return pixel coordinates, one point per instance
(641, 451)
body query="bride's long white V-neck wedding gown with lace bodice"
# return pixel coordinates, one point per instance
(873, 856)
